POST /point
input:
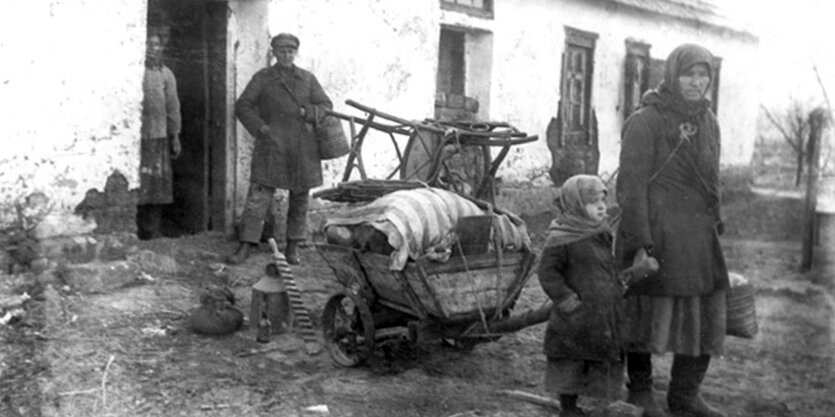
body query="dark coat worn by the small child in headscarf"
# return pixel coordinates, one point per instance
(586, 268)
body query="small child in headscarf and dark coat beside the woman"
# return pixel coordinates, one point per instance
(577, 271)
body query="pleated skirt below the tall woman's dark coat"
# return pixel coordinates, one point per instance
(692, 326)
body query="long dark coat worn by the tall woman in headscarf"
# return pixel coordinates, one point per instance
(676, 214)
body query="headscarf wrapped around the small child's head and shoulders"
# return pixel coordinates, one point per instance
(572, 222)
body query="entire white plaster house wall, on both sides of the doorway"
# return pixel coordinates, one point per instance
(70, 83)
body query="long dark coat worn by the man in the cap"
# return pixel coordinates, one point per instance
(289, 157)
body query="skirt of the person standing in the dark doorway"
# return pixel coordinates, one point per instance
(156, 185)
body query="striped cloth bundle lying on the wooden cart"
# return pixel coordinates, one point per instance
(425, 223)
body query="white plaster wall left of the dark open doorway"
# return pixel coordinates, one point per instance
(70, 96)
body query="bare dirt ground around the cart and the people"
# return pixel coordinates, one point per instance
(125, 353)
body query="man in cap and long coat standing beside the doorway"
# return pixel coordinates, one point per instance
(279, 107)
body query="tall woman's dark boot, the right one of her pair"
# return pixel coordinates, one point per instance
(684, 398)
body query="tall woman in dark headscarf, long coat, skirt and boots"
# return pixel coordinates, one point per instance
(668, 191)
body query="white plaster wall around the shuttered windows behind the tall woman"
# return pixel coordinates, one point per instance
(529, 39)
